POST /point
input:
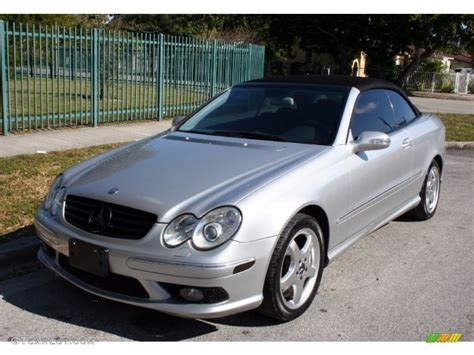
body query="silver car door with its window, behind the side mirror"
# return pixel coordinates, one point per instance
(376, 177)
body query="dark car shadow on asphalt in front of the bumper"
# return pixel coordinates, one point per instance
(56, 299)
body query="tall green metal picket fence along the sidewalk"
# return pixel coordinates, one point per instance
(53, 77)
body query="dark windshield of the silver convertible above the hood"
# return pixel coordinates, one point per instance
(300, 114)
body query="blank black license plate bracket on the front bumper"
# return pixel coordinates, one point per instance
(89, 257)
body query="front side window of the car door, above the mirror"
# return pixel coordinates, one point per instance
(372, 112)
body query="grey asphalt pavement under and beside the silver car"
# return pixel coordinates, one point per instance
(401, 283)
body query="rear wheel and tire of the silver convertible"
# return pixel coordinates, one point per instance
(425, 210)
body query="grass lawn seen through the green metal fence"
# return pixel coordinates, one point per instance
(42, 96)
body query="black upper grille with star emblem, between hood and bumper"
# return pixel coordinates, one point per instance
(108, 219)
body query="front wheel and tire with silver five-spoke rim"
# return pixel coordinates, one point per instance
(295, 269)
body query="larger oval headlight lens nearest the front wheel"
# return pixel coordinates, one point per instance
(216, 227)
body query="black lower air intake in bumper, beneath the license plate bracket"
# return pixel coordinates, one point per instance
(115, 283)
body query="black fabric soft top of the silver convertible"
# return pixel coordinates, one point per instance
(334, 80)
